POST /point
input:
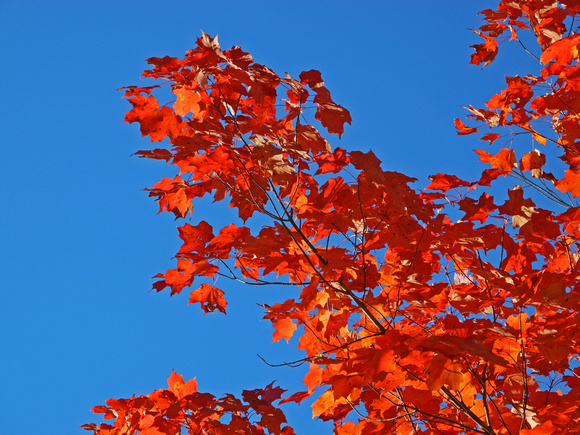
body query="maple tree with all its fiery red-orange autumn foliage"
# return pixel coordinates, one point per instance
(438, 310)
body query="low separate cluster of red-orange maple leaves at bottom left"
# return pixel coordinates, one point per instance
(181, 405)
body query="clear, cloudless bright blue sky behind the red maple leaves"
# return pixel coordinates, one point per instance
(81, 240)
